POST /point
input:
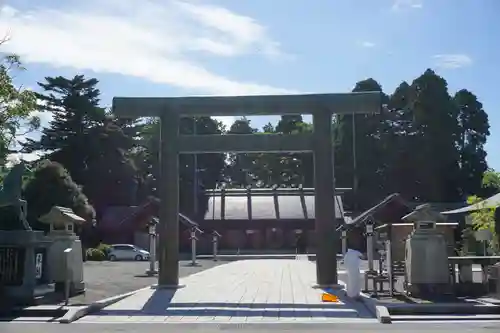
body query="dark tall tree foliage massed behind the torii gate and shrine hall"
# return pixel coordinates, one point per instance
(427, 145)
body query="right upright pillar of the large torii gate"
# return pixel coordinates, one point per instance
(327, 238)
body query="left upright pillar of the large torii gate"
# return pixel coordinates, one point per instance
(168, 228)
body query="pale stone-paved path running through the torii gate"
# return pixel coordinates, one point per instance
(248, 291)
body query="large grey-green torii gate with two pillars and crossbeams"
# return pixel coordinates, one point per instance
(320, 143)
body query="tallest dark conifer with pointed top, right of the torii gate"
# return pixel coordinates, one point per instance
(437, 130)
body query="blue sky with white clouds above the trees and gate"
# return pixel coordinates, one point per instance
(229, 47)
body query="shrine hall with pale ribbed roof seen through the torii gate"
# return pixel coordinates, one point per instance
(262, 218)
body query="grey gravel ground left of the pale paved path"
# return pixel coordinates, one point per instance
(106, 278)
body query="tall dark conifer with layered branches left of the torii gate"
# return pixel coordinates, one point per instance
(92, 145)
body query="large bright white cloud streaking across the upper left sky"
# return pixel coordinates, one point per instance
(153, 40)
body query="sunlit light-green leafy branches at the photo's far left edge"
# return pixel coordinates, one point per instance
(16, 106)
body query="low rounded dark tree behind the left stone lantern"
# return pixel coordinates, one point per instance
(51, 186)
